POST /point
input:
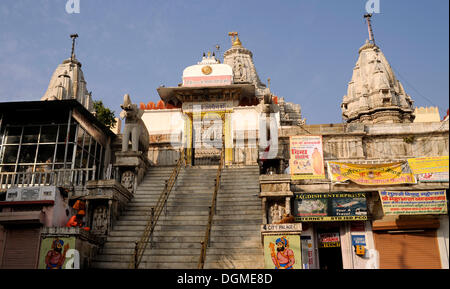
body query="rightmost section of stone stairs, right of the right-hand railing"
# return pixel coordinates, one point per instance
(235, 235)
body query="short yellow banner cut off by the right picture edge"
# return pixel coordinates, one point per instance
(430, 169)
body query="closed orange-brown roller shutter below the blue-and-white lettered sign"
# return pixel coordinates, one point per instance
(408, 250)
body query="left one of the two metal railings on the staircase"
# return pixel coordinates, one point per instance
(155, 212)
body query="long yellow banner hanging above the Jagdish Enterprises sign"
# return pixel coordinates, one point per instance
(371, 174)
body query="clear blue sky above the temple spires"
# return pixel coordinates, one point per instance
(307, 47)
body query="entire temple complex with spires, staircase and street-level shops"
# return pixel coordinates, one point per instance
(222, 173)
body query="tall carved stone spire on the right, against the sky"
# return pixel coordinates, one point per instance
(374, 94)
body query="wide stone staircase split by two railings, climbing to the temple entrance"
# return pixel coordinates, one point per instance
(177, 236)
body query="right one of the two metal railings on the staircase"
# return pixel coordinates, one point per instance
(212, 212)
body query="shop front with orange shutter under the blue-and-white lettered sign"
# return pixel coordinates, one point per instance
(408, 235)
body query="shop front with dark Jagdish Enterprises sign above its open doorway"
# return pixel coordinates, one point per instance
(334, 232)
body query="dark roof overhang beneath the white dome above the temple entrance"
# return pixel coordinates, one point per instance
(178, 95)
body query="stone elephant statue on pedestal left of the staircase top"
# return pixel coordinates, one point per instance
(134, 127)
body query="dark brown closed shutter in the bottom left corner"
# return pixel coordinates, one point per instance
(21, 248)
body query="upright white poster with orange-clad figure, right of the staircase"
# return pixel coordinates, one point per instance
(306, 157)
